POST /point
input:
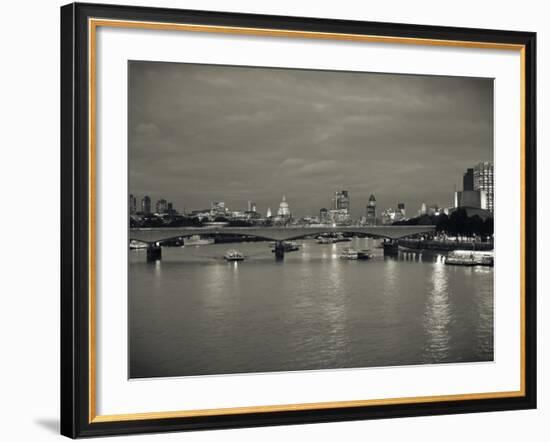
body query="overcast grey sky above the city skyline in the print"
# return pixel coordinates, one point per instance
(202, 133)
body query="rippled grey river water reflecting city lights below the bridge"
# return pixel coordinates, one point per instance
(195, 314)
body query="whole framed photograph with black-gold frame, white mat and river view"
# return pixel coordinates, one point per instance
(278, 220)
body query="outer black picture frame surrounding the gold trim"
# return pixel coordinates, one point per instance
(75, 220)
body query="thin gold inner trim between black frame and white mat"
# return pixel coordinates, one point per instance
(93, 24)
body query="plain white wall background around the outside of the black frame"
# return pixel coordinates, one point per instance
(29, 252)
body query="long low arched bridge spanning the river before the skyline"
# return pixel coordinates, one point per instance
(155, 237)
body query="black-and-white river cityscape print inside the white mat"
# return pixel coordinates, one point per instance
(291, 219)
